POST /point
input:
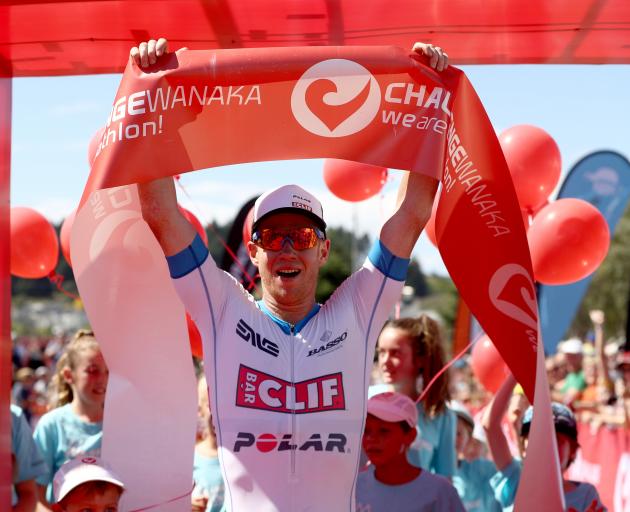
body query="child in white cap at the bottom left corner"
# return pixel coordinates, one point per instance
(86, 483)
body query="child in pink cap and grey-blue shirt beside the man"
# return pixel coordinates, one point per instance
(390, 482)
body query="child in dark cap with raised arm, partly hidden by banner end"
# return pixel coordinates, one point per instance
(579, 496)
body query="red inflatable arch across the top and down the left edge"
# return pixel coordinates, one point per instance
(47, 38)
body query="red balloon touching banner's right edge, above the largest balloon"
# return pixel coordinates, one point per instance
(534, 161)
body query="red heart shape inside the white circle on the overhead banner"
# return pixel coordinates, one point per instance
(320, 99)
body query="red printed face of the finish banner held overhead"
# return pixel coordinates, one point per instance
(374, 105)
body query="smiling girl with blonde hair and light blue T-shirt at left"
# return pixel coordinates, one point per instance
(73, 426)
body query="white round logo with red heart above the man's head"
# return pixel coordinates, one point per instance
(335, 98)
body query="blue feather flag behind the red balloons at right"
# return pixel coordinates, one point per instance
(602, 179)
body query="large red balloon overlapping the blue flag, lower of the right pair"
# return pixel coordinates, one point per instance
(568, 240)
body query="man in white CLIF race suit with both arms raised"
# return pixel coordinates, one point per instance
(287, 376)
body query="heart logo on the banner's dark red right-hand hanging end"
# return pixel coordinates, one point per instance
(502, 282)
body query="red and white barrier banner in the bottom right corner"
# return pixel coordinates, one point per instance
(604, 461)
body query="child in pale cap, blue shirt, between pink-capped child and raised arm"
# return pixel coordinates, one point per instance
(472, 477)
